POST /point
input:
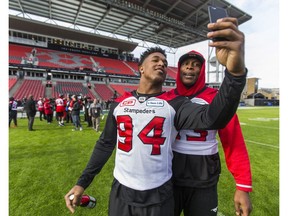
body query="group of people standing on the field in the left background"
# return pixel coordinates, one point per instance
(66, 109)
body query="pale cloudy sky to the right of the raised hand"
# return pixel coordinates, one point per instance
(262, 40)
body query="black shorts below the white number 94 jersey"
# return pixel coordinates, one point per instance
(125, 201)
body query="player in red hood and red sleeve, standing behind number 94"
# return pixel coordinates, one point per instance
(196, 163)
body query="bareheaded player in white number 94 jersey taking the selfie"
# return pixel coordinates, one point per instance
(142, 125)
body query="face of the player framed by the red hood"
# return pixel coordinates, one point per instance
(190, 71)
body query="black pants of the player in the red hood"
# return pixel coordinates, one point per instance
(196, 201)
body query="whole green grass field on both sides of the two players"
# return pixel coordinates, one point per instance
(45, 164)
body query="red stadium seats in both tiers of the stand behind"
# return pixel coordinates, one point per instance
(66, 60)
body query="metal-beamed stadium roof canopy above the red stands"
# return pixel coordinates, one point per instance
(170, 23)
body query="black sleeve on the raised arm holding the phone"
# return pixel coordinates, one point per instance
(218, 113)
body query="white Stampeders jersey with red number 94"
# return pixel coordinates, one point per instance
(145, 131)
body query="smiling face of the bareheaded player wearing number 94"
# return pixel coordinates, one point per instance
(154, 67)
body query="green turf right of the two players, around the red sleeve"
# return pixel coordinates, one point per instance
(260, 128)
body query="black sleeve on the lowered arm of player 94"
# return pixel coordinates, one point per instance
(102, 150)
